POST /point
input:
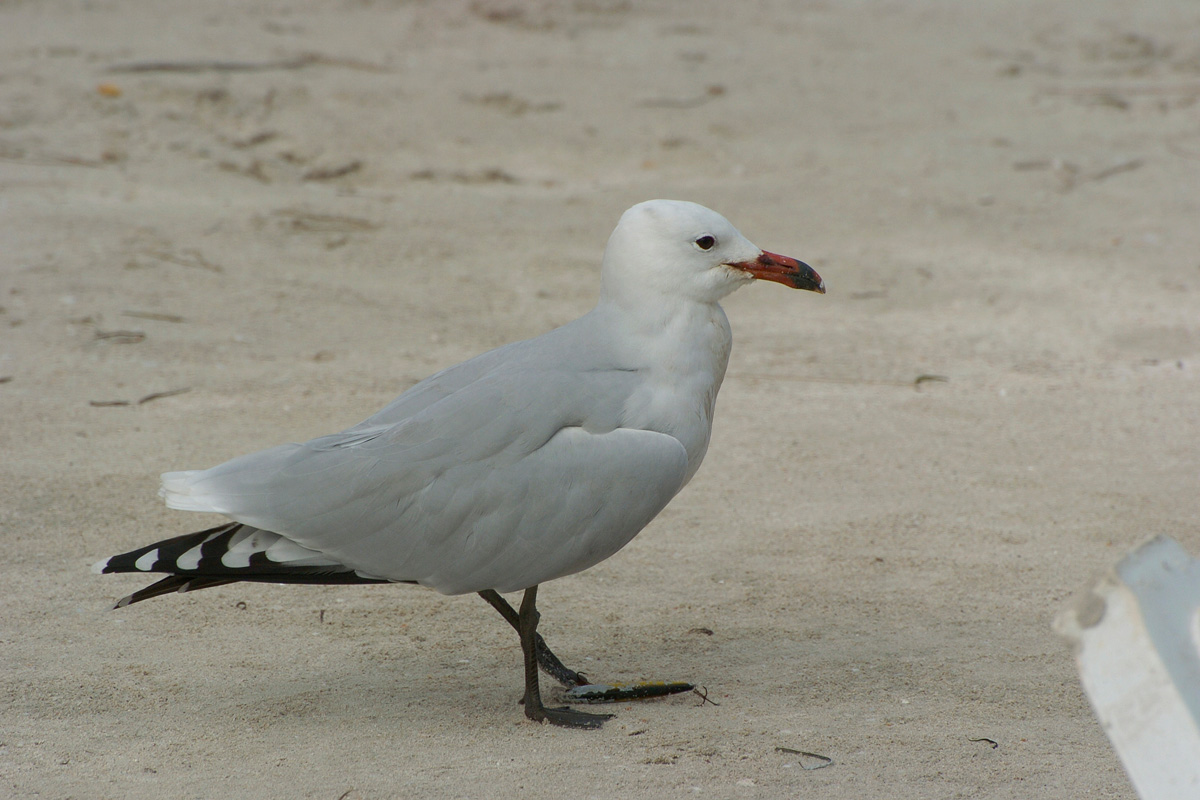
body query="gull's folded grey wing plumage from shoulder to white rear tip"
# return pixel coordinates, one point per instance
(466, 496)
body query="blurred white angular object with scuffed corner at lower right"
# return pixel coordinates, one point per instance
(1137, 636)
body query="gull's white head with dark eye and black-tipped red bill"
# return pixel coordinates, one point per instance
(677, 250)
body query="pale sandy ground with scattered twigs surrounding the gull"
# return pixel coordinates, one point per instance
(1000, 194)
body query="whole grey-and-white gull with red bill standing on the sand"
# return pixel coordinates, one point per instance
(524, 465)
